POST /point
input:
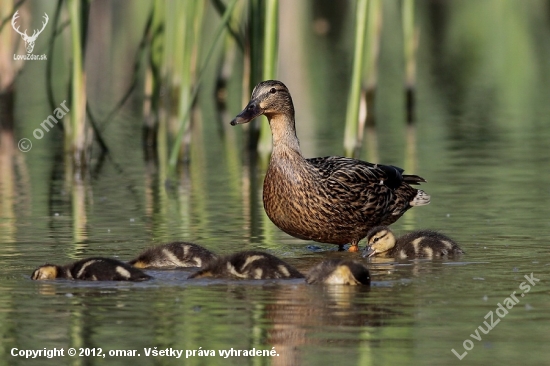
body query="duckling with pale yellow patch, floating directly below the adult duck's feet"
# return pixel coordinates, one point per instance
(339, 272)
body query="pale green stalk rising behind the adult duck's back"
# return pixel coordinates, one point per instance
(351, 142)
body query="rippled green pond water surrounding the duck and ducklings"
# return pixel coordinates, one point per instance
(487, 198)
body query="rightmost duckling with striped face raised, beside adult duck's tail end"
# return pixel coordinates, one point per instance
(422, 243)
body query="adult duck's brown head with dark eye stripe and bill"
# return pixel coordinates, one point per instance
(270, 97)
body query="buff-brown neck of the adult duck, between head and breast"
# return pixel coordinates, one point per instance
(284, 134)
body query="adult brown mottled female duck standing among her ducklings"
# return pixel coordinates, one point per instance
(332, 200)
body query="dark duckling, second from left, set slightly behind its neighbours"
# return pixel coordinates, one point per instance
(176, 254)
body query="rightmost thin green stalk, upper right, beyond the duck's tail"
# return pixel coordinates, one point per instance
(410, 42)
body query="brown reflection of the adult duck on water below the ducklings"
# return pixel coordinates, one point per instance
(321, 316)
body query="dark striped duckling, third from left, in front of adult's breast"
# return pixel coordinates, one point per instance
(249, 265)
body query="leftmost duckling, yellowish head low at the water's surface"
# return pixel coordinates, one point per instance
(91, 269)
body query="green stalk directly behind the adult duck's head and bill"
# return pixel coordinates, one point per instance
(269, 65)
